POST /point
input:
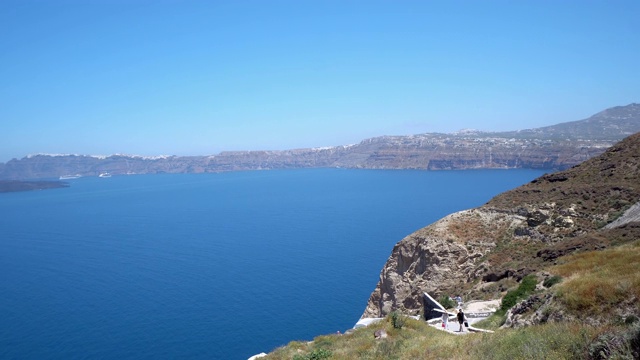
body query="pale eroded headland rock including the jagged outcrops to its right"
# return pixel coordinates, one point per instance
(458, 249)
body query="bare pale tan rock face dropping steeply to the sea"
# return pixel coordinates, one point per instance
(438, 258)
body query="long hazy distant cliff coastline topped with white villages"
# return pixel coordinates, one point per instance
(554, 147)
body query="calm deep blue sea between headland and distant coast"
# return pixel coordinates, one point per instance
(210, 266)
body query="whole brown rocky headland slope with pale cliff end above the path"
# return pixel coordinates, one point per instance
(516, 233)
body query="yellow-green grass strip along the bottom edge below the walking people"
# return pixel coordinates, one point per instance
(416, 340)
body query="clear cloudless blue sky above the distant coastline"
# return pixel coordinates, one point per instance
(200, 77)
